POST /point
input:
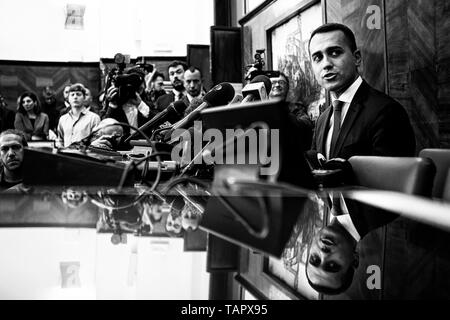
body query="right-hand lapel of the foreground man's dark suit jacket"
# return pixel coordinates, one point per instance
(352, 114)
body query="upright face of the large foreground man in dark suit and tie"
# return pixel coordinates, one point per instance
(333, 62)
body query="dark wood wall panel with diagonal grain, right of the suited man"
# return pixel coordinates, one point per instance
(411, 54)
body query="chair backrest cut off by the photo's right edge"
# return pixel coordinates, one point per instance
(441, 159)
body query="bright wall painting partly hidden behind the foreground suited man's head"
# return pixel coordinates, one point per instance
(288, 52)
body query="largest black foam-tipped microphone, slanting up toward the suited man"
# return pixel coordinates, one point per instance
(220, 95)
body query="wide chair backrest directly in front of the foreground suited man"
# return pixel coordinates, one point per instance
(407, 175)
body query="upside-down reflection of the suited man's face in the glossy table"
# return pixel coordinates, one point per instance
(331, 255)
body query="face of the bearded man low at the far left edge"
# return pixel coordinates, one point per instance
(11, 151)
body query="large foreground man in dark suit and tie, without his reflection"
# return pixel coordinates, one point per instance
(371, 123)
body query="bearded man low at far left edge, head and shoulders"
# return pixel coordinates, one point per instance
(12, 143)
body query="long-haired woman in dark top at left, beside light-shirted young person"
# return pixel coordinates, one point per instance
(30, 119)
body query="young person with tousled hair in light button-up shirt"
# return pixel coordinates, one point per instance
(79, 122)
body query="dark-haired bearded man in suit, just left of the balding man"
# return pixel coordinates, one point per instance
(176, 75)
